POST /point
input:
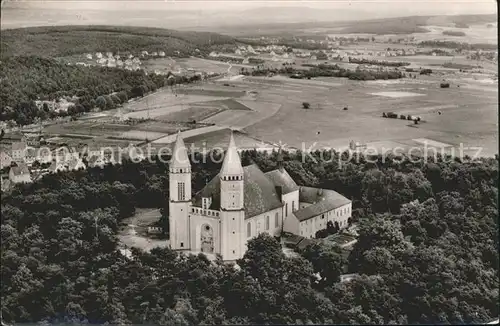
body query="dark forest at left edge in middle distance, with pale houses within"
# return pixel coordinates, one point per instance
(24, 80)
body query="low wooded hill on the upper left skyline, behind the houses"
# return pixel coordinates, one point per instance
(71, 40)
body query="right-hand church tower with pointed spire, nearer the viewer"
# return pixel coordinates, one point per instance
(232, 214)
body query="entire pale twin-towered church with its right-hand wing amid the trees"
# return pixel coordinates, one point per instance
(242, 202)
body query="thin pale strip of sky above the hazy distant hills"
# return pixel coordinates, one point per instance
(387, 7)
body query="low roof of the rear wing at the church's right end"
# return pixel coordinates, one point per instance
(321, 200)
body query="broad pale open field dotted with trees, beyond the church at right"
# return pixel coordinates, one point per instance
(468, 115)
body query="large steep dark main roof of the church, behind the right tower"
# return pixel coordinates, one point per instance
(259, 192)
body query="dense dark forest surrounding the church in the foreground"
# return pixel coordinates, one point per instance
(427, 250)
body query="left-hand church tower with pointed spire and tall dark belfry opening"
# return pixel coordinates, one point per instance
(180, 196)
